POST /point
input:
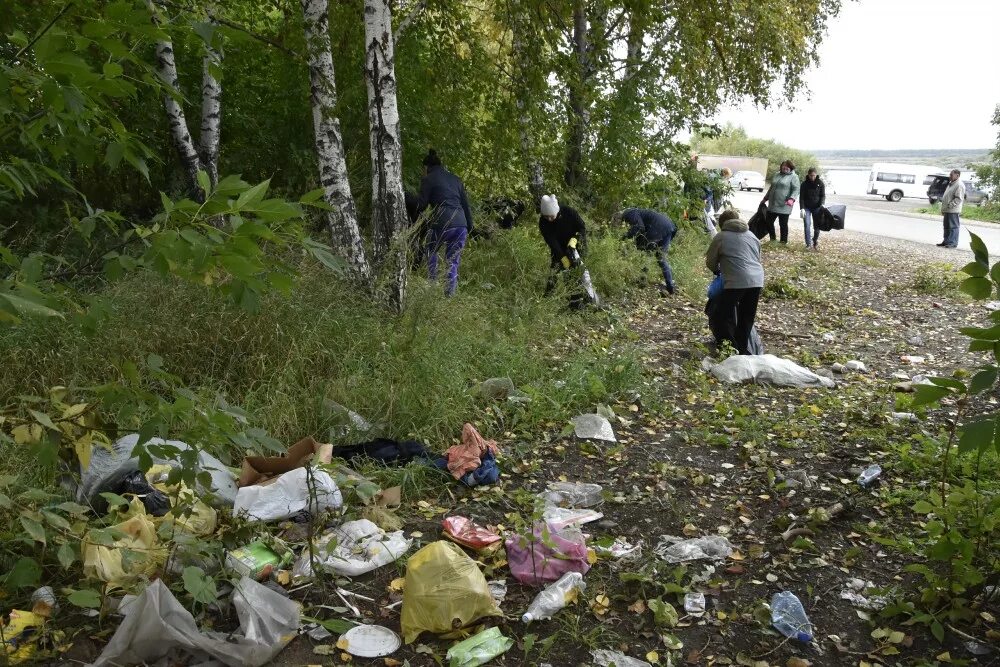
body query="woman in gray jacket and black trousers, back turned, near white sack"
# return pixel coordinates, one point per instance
(736, 252)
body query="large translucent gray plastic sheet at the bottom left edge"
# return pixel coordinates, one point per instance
(156, 624)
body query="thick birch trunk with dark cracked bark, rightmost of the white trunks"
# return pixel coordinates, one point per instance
(388, 203)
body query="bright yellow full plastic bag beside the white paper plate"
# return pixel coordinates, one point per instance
(444, 591)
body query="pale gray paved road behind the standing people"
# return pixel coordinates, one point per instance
(893, 225)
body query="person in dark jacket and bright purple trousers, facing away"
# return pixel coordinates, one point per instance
(450, 221)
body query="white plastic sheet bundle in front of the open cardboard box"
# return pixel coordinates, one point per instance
(288, 495)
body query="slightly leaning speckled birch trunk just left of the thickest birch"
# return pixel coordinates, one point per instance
(343, 219)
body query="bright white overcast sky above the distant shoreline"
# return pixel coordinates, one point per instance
(895, 74)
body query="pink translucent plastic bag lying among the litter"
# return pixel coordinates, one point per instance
(546, 554)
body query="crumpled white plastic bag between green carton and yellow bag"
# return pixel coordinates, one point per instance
(353, 549)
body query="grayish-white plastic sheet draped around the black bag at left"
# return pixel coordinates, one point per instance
(108, 468)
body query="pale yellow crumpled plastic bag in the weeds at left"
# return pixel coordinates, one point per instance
(138, 553)
